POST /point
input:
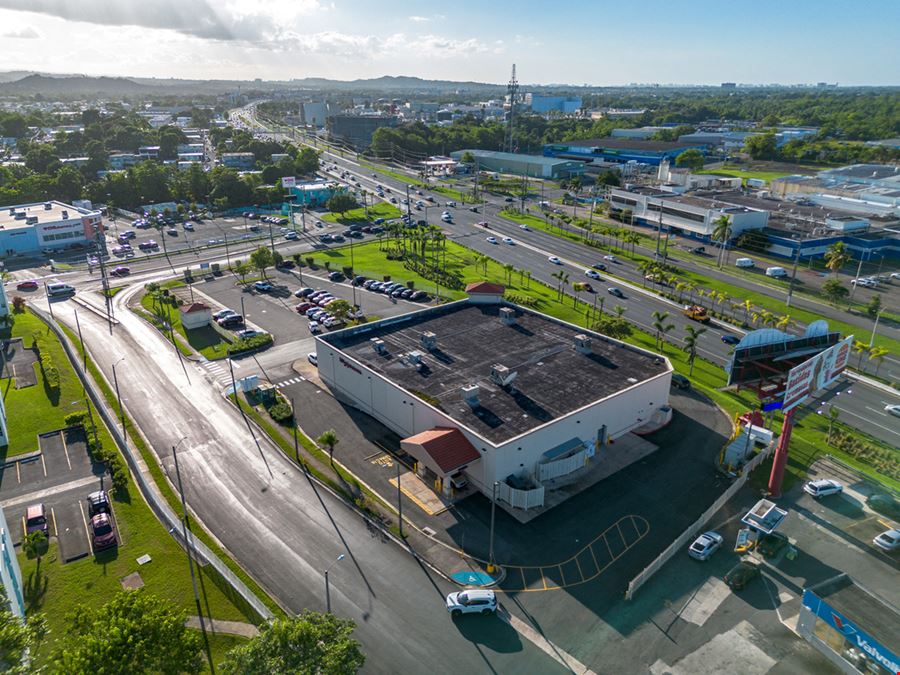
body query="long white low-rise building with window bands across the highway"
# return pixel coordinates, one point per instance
(686, 215)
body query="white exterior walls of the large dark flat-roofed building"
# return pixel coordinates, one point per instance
(408, 415)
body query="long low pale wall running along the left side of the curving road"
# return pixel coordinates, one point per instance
(160, 507)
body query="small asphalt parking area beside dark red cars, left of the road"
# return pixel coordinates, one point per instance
(60, 476)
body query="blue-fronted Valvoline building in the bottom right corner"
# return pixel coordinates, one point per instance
(852, 627)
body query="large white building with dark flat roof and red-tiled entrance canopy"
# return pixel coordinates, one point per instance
(498, 392)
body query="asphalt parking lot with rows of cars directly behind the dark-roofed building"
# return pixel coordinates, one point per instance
(274, 311)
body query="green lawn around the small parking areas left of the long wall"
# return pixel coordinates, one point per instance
(93, 580)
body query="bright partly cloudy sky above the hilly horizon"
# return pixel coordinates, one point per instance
(600, 42)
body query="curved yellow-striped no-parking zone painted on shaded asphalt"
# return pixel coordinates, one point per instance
(586, 565)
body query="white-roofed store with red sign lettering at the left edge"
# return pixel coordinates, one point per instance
(47, 226)
